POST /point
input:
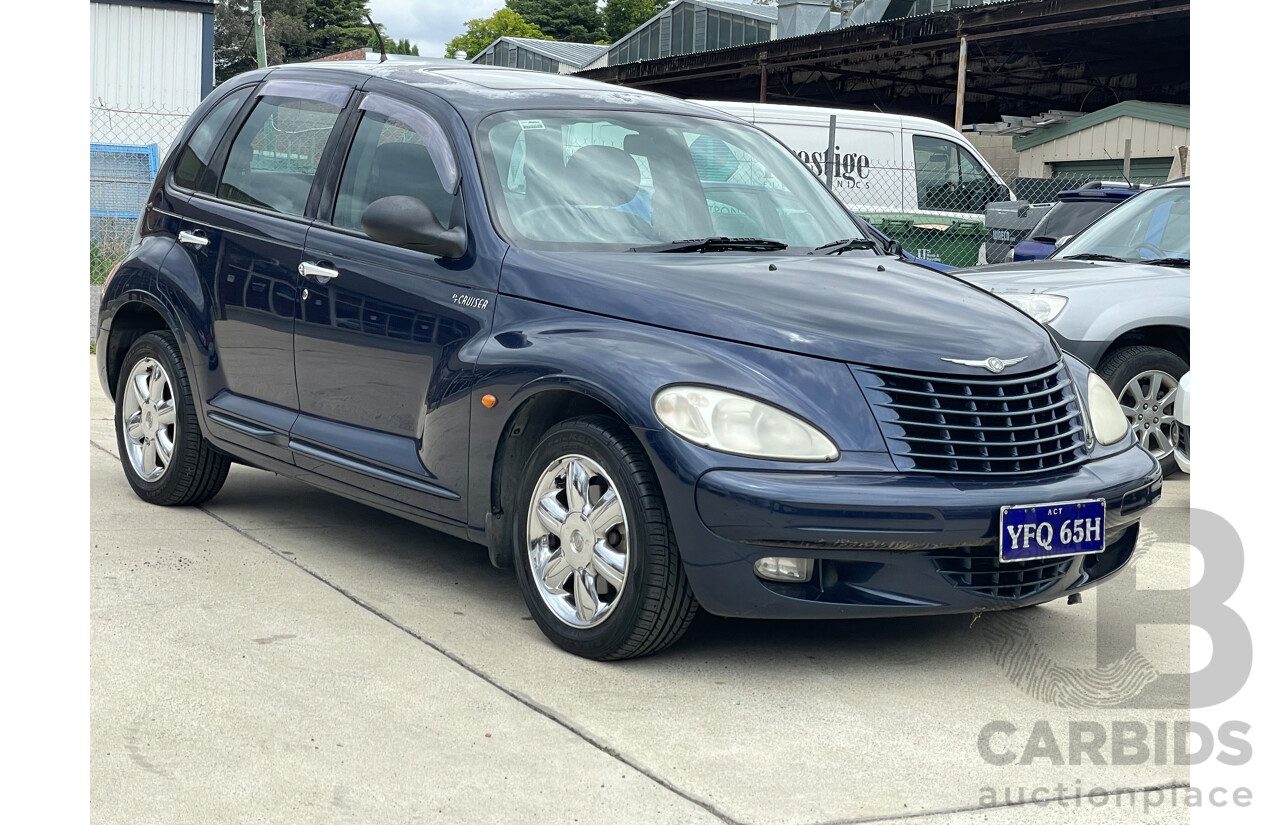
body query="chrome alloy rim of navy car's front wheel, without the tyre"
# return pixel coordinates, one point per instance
(578, 542)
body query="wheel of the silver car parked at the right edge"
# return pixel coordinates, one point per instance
(1145, 381)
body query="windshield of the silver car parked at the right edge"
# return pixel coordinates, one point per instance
(1153, 226)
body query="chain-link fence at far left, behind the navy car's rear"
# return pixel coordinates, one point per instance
(126, 148)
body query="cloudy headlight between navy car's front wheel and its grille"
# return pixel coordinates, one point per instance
(734, 424)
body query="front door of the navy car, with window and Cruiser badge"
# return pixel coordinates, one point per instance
(383, 387)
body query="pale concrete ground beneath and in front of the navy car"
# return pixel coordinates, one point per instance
(282, 656)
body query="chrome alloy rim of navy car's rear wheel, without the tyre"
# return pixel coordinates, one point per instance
(149, 420)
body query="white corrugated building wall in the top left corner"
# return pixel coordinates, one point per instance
(145, 74)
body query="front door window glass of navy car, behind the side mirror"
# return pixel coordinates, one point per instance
(391, 155)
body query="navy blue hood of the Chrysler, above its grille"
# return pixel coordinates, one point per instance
(871, 310)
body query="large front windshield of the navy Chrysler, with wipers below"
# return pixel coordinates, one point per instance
(610, 181)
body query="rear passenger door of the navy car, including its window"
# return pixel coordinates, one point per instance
(246, 232)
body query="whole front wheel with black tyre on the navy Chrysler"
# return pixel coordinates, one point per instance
(596, 557)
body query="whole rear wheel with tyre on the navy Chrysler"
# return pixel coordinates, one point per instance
(166, 457)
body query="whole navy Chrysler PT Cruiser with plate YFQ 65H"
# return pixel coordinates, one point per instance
(437, 290)
